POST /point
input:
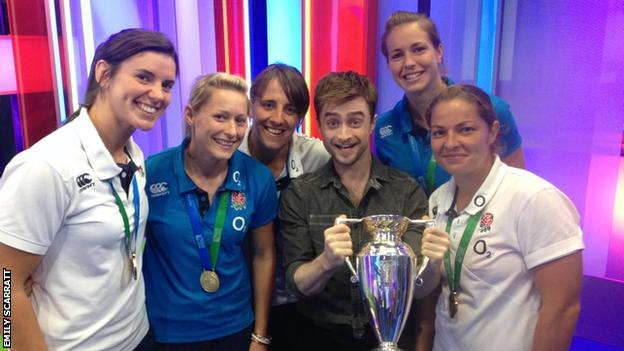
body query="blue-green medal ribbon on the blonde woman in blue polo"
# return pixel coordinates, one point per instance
(193, 212)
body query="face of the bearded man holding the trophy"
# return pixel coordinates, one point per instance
(346, 128)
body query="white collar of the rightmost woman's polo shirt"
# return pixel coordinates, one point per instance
(486, 191)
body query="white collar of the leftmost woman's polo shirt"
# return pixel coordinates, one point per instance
(98, 155)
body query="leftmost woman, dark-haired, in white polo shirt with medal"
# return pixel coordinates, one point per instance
(73, 208)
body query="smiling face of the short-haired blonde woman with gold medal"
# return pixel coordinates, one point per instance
(218, 127)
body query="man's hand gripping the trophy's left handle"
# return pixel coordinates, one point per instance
(338, 245)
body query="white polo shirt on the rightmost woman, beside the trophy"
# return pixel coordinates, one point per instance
(525, 222)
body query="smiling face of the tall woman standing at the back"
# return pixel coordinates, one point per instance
(413, 60)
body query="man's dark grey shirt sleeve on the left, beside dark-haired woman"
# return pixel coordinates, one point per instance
(294, 229)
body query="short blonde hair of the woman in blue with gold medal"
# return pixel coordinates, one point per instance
(205, 86)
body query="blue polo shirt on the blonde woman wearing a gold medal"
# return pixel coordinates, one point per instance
(179, 310)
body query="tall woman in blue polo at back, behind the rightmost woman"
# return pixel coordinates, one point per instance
(413, 50)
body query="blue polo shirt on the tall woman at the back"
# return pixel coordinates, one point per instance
(402, 145)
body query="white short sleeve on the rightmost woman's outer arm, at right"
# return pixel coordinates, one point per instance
(548, 228)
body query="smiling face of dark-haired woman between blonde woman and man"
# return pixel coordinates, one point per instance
(274, 118)
